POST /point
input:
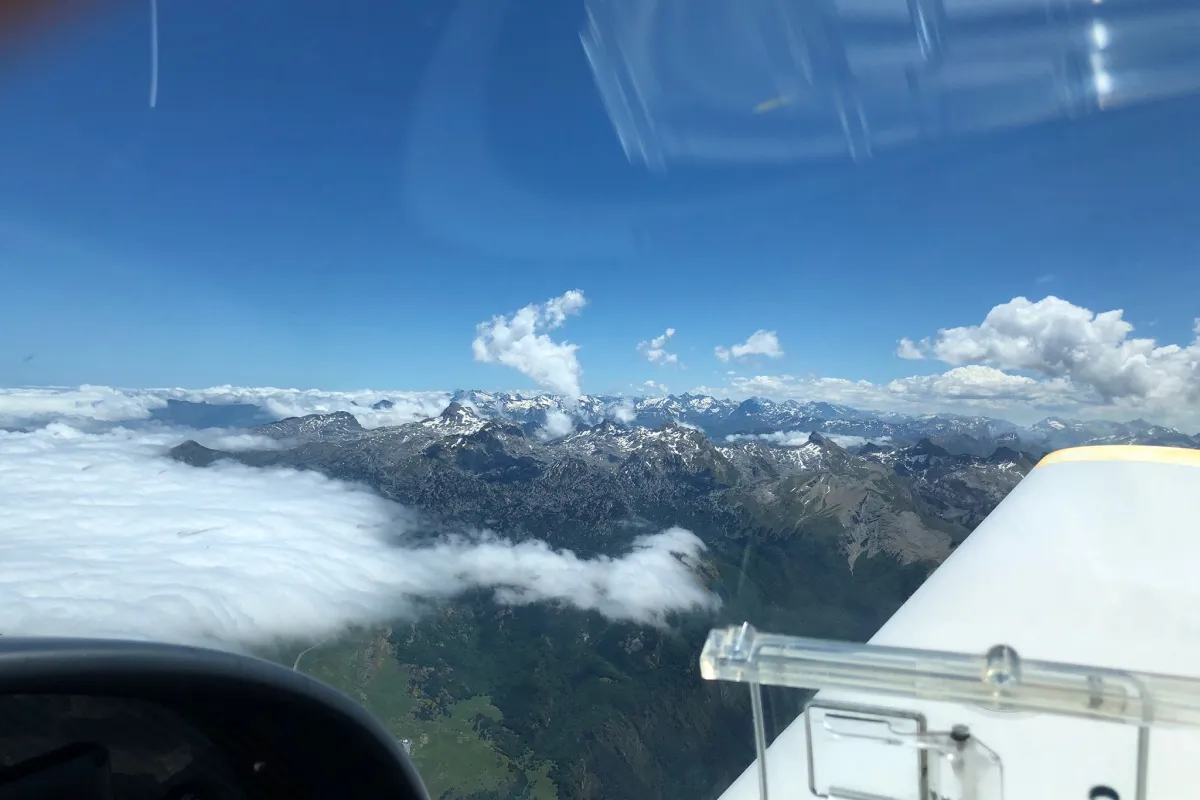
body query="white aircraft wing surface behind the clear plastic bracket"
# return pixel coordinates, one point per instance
(1091, 561)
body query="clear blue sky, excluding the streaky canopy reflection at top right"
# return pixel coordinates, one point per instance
(335, 195)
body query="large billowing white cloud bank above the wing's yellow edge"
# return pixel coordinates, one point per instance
(1025, 360)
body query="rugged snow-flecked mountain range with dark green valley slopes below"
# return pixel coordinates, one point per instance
(819, 520)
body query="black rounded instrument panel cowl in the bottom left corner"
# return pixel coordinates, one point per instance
(99, 720)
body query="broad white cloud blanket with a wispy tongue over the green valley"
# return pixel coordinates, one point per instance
(101, 536)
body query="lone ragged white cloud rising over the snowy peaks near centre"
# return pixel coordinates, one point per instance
(520, 342)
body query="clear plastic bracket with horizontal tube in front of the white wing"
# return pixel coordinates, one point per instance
(952, 763)
